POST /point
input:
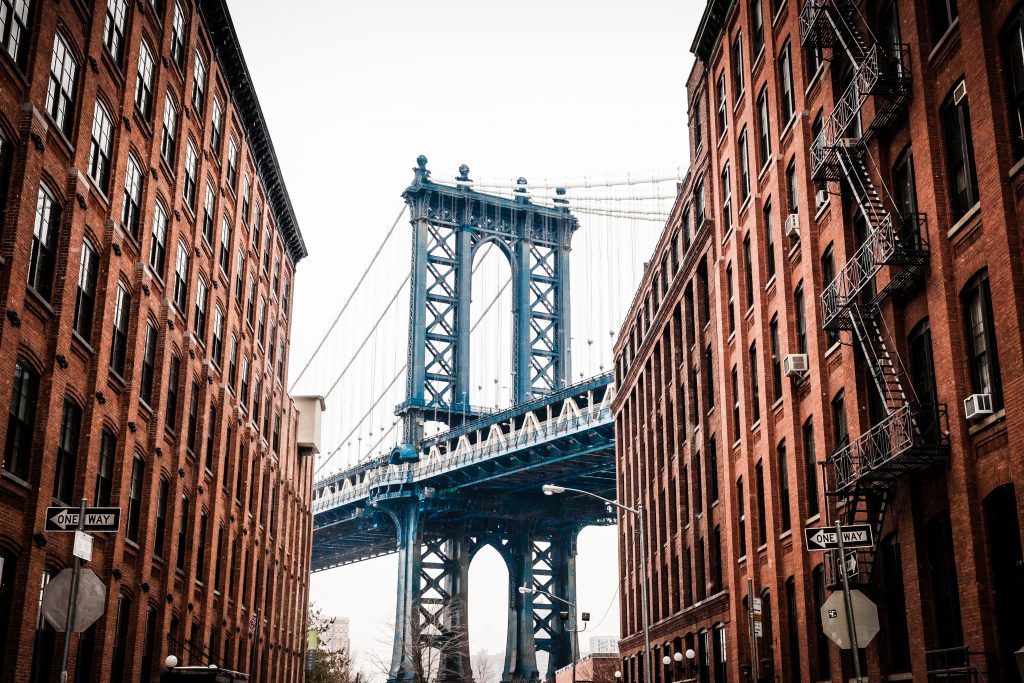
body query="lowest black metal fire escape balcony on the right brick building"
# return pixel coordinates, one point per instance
(910, 439)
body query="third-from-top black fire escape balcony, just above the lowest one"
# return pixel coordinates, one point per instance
(900, 243)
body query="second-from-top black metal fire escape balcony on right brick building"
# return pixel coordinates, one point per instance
(884, 73)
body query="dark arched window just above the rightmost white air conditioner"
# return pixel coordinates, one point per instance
(984, 360)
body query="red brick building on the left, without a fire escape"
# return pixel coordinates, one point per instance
(147, 263)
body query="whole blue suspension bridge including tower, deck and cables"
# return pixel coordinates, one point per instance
(447, 417)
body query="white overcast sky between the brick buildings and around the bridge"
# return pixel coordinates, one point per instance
(559, 90)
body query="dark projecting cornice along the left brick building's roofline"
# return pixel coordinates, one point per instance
(229, 53)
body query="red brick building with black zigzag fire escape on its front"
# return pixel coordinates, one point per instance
(831, 329)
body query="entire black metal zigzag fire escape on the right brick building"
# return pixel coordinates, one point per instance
(893, 253)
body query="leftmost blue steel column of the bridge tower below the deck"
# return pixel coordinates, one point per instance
(407, 618)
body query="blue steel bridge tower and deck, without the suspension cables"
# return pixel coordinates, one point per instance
(436, 511)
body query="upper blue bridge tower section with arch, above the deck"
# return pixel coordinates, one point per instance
(450, 227)
